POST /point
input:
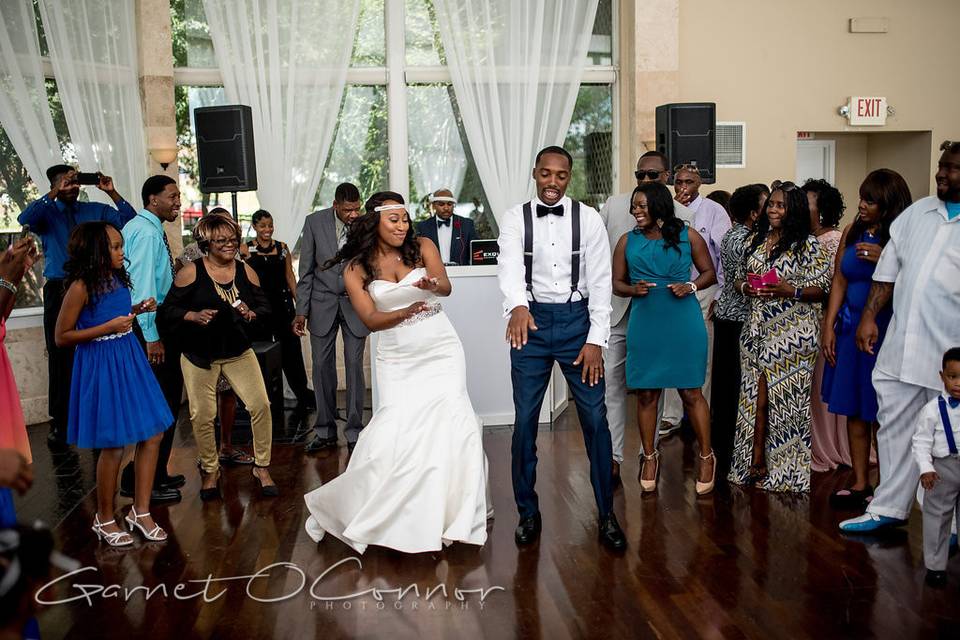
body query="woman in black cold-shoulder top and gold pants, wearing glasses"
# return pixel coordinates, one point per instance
(215, 307)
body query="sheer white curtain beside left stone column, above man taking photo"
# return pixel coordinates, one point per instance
(94, 55)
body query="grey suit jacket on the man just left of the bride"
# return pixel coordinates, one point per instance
(320, 294)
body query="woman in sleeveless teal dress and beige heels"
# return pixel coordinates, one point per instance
(666, 336)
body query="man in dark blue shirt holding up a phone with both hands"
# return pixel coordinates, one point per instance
(53, 217)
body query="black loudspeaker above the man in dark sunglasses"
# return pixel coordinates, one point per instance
(686, 134)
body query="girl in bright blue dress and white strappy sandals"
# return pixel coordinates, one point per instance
(114, 397)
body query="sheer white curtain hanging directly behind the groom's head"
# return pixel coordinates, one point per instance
(516, 69)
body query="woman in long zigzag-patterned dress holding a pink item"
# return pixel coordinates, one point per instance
(785, 275)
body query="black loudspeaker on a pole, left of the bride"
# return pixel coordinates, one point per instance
(225, 148)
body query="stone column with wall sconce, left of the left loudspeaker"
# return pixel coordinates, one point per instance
(155, 47)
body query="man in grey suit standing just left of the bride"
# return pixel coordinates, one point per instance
(322, 300)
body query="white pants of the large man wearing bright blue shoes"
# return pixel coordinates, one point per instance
(899, 404)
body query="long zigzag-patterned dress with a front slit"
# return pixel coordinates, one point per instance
(780, 340)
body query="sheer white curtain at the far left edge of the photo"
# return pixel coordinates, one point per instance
(24, 110)
